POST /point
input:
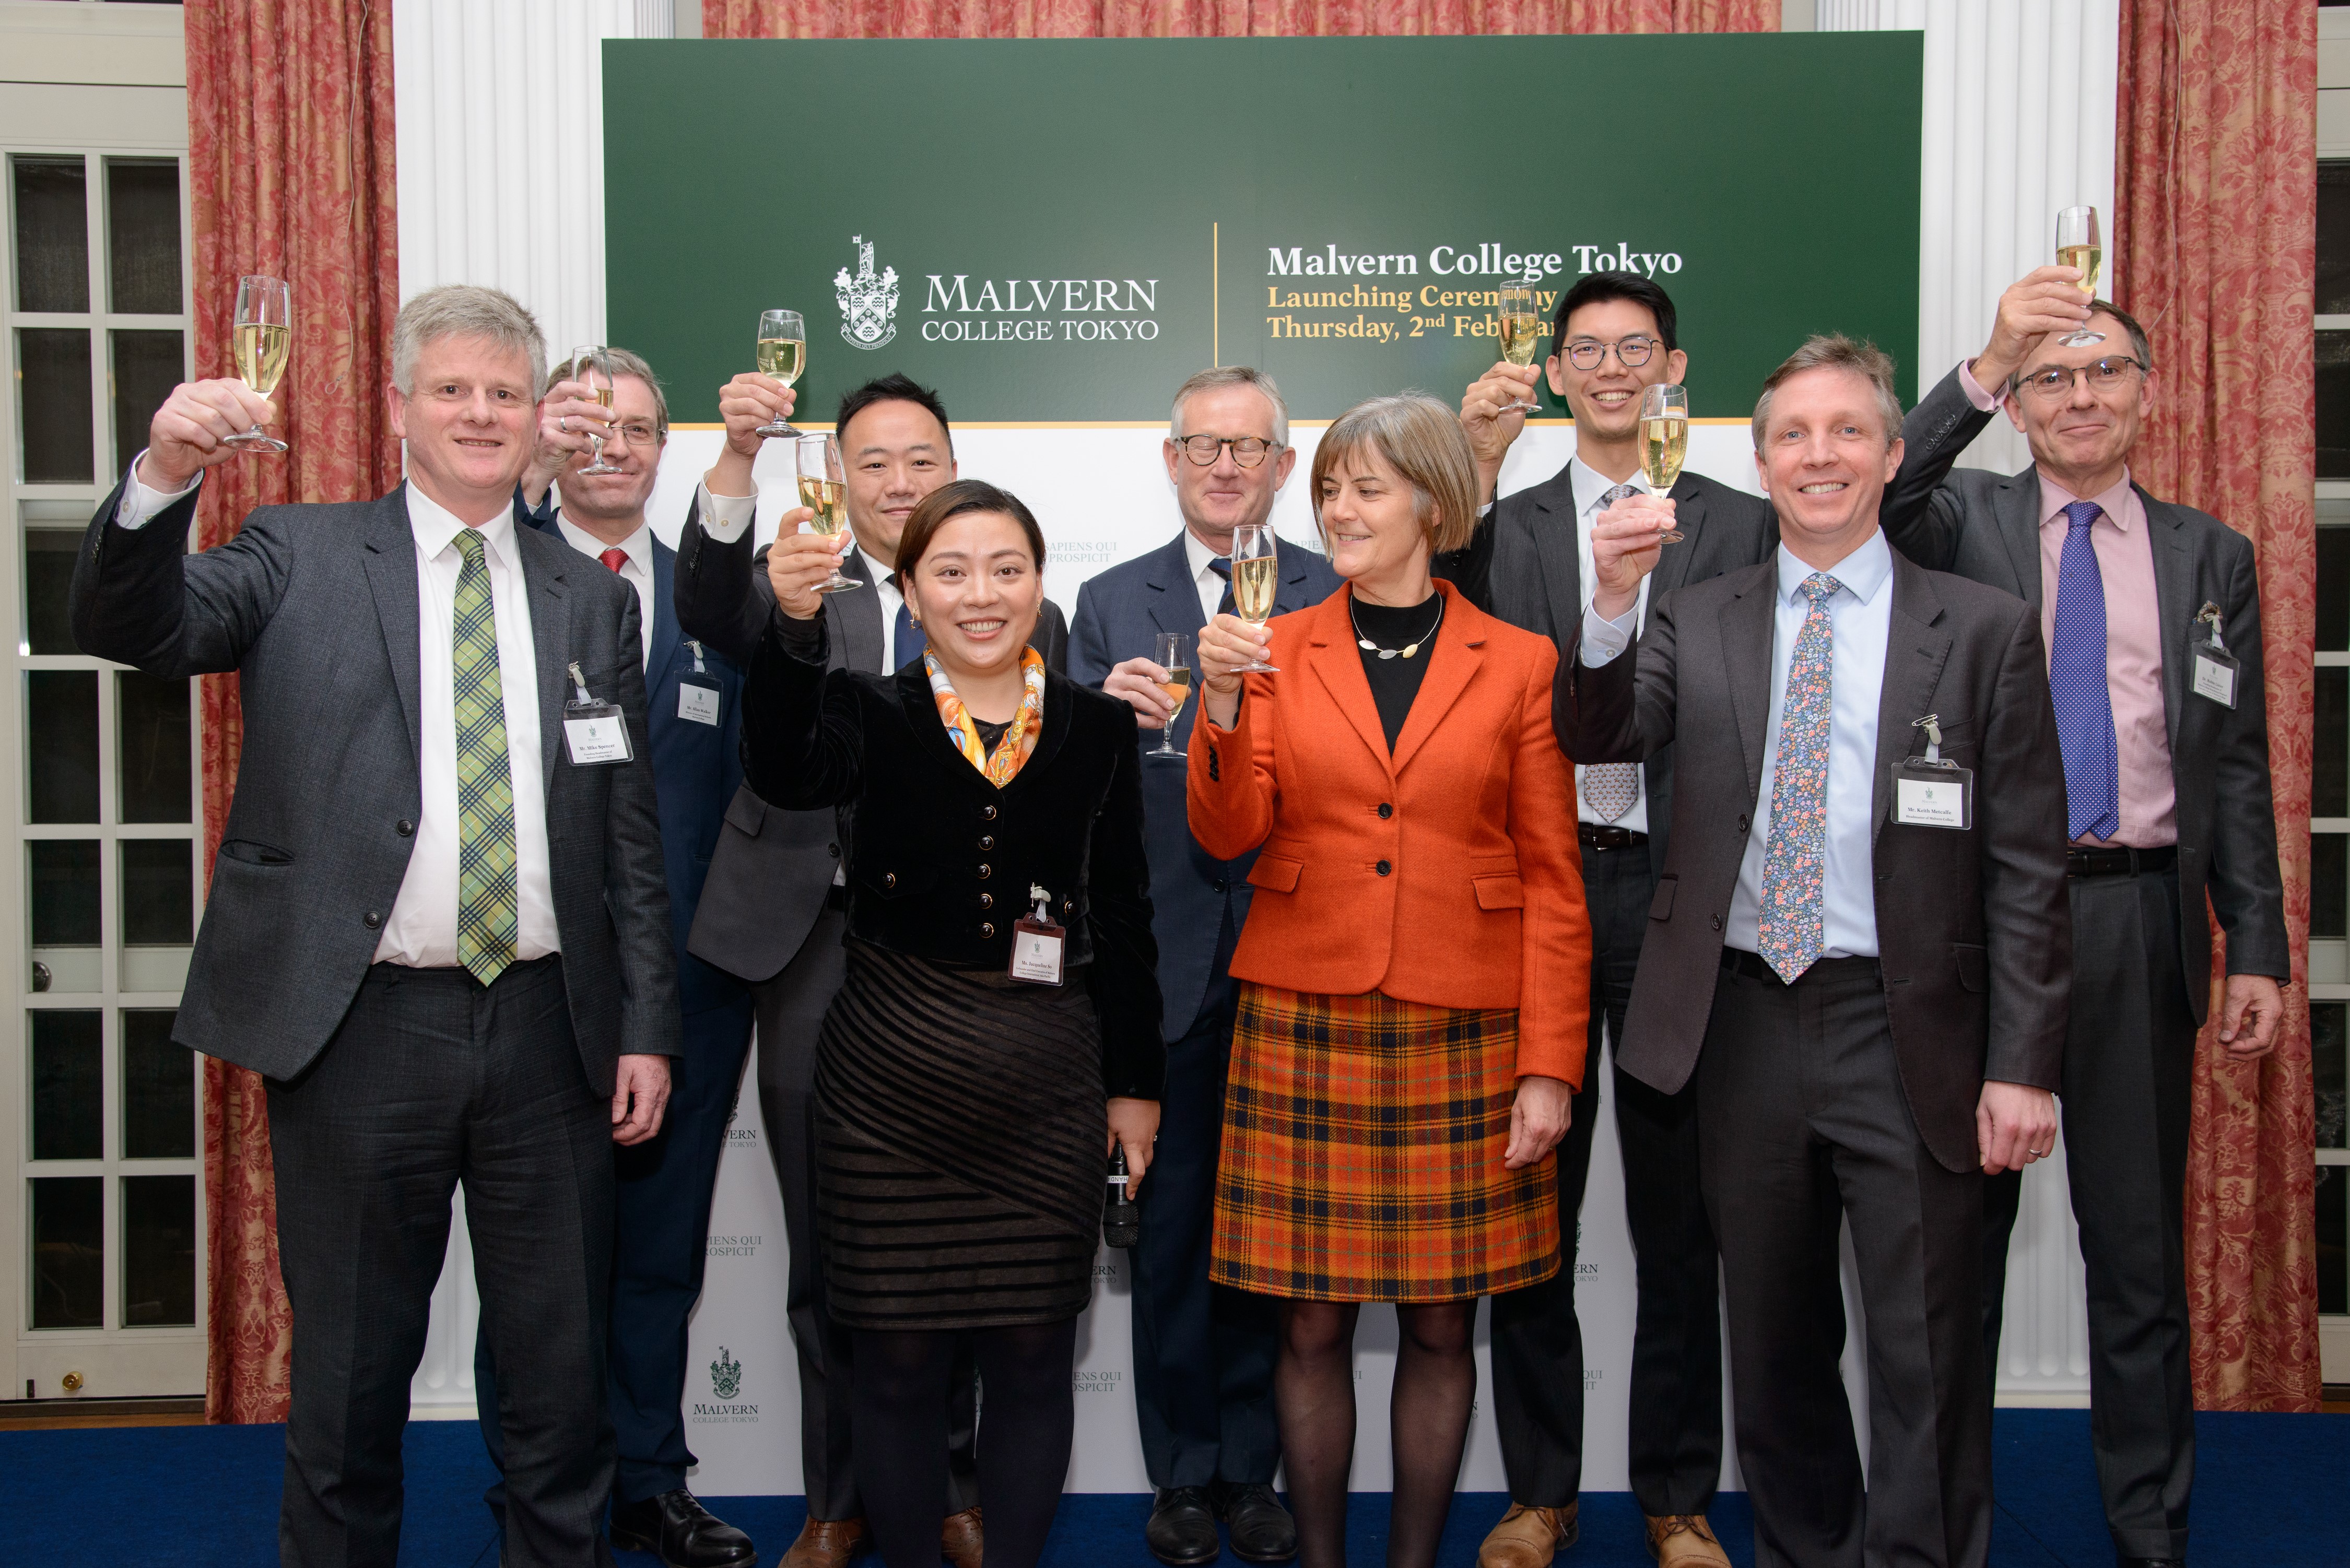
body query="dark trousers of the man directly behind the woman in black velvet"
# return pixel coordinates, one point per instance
(791, 1010)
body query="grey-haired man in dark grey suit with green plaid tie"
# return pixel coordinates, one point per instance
(438, 923)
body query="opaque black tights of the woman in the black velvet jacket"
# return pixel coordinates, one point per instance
(899, 1421)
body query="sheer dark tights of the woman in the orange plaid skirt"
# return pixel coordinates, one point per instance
(1428, 1423)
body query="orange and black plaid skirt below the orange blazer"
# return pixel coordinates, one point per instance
(1364, 1148)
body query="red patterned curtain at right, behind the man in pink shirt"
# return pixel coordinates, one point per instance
(2217, 243)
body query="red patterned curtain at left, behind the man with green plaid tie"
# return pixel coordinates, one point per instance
(290, 159)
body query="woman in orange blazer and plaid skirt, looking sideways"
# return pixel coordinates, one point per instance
(1414, 972)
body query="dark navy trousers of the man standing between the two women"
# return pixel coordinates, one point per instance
(1204, 1353)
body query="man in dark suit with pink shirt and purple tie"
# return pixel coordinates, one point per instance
(2154, 626)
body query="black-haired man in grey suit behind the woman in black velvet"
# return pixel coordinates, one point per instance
(774, 906)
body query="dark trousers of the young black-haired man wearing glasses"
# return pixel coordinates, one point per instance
(1677, 1353)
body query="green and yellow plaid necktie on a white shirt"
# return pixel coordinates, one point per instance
(485, 784)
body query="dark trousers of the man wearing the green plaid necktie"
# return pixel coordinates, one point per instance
(431, 1083)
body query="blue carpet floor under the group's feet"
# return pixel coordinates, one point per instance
(2271, 1492)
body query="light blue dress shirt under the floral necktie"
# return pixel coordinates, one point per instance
(1860, 619)
